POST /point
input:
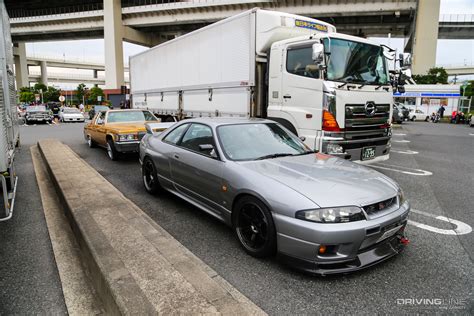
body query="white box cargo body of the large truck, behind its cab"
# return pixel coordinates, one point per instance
(211, 71)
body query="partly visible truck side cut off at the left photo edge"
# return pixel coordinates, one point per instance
(9, 127)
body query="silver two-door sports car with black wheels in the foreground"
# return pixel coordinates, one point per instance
(320, 213)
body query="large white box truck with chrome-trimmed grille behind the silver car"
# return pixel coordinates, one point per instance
(332, 90)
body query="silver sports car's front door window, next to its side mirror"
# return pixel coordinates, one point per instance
(196, 135)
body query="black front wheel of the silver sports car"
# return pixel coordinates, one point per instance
(254, 227)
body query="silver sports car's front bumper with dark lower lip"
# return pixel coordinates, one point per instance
(353, 246)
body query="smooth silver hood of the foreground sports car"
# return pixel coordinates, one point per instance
(327, 180)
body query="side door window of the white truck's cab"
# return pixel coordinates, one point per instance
(299, 62)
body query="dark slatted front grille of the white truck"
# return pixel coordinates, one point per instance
(357, 117)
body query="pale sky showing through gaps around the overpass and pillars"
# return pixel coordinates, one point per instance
(449, 52)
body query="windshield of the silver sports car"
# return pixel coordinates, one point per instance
(259, 141)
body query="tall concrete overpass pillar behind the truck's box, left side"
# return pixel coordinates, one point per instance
(113, 29)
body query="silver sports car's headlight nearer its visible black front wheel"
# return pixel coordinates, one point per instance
(343, 214)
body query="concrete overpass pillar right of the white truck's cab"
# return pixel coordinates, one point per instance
(426, 36)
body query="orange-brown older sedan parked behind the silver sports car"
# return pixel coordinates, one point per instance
(119, 131)
